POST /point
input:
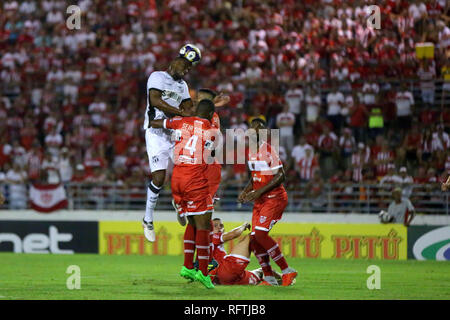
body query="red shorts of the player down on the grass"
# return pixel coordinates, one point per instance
(231, 271)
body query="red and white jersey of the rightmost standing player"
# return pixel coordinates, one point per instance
(261, 166)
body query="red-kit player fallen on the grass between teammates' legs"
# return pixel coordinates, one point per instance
(231, 267)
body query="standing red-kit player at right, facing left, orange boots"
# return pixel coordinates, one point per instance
(266, 190)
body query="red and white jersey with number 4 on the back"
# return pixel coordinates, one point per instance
(194, 139)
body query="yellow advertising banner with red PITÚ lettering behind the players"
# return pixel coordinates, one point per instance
(304, 240)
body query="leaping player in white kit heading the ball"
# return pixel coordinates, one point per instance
(167, 96)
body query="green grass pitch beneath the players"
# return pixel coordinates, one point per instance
(28, 276)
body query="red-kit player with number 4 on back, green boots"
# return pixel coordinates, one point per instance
(190, 188)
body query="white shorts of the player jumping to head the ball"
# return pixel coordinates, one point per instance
(159, 150)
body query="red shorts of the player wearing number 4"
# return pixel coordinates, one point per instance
(190, 191)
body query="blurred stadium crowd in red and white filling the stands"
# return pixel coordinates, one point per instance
(353, 104)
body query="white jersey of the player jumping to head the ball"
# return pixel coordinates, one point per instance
(173, 92)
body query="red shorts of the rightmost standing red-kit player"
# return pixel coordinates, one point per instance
(268, 211)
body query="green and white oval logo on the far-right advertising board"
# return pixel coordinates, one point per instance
(433, 245)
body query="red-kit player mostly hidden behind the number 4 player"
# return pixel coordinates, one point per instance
(213, 171)
